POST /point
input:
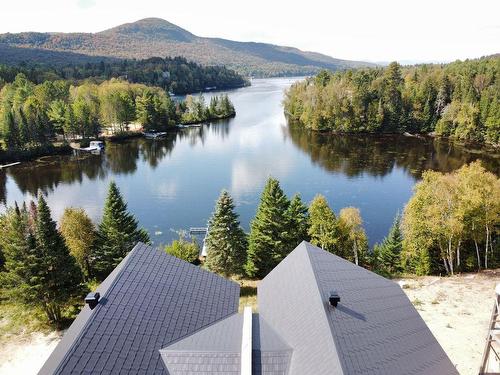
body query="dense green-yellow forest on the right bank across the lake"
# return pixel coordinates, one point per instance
(460, 100)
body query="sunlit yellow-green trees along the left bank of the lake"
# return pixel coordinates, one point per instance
(32, 116)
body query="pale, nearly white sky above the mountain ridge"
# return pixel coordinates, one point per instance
(373, 30)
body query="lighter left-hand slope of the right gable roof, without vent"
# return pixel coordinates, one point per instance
(289, 301)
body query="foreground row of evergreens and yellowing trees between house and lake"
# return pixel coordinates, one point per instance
(450, 225)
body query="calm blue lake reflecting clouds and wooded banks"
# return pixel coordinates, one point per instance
(173, 183)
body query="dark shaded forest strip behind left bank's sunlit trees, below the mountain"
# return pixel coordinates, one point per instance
(176, 75)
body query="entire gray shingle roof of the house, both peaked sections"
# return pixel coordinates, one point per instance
(161, 315)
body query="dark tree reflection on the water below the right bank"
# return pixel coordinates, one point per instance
(354, 155)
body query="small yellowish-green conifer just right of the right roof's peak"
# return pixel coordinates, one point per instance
(323, 230)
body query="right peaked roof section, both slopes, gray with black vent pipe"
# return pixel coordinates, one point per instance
(374, 330)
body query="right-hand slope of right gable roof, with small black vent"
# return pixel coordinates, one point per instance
(375, 327)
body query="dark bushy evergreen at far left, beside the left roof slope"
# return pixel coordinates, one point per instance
(39, 270)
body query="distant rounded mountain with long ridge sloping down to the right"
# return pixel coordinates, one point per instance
(154, 37)
